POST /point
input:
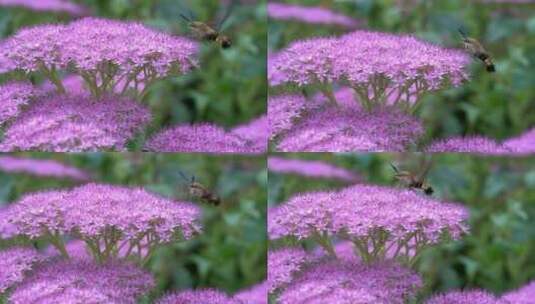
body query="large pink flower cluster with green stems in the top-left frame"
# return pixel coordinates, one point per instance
(104, 52)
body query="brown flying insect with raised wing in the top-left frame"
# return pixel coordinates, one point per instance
(205, 32)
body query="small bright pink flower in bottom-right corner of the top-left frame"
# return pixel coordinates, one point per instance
(256, 133)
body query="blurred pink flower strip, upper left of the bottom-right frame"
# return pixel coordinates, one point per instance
(309, 168)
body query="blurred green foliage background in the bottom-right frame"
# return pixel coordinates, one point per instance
(499, 252)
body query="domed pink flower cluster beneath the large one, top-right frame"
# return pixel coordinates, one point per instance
(337, 129)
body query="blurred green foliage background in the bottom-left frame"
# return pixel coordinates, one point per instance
(231, 252)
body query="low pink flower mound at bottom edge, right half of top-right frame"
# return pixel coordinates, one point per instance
(476, 144)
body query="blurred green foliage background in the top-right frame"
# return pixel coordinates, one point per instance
(499, 105)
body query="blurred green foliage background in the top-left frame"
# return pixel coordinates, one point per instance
(228, 89)
